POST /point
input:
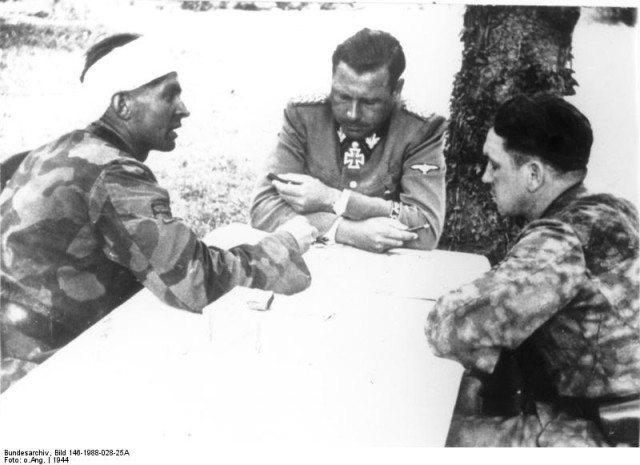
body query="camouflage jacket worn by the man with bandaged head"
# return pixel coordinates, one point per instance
(84, 223)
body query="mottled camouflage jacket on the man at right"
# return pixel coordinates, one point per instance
(569, 286)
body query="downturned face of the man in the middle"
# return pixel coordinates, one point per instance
(361, 103)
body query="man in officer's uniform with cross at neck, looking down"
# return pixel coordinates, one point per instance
(358, 165)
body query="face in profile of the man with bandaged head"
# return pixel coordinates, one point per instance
(157, 113)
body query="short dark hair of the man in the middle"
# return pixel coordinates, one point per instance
(369, 50)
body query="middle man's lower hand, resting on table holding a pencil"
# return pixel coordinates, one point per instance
(377, 234)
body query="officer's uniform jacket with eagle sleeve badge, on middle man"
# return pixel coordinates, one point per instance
(406, 166)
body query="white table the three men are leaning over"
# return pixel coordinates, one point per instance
(344, 363)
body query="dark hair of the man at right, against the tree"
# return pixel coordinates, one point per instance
(548, 127)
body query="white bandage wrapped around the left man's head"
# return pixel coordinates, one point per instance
(128, 67)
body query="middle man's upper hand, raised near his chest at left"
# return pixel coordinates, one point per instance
(308, 195)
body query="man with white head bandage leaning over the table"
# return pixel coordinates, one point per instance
(85, 223)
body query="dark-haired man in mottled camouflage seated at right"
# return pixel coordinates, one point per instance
(567, 290)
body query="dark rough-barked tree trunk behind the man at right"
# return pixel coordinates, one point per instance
(507, 50)
